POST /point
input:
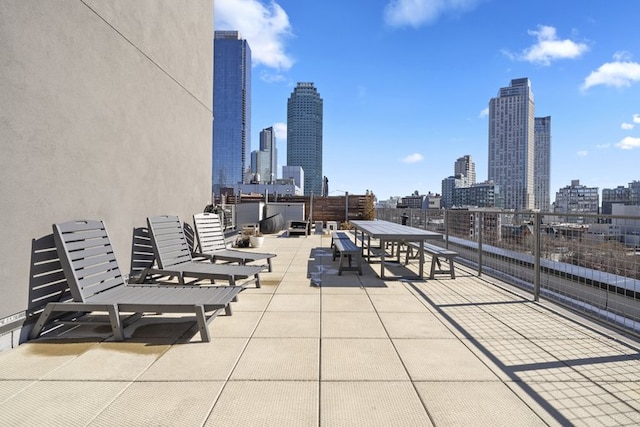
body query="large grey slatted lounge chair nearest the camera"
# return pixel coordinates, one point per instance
(96, 284)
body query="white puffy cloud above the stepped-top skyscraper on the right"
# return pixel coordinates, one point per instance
(550, 48)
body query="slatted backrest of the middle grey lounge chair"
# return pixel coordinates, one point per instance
(170, 245)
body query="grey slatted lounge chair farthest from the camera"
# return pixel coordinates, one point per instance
(212, 244)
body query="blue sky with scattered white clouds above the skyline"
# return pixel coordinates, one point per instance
(406, 83)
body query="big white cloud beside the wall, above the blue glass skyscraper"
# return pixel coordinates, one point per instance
(265, 27)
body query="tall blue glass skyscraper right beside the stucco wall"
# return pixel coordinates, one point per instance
(231, 109)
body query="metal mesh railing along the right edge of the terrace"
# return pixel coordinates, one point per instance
(589, 263)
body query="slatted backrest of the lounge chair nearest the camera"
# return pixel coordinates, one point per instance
(87, 258)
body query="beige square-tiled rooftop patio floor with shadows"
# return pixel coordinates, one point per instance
(311, 348)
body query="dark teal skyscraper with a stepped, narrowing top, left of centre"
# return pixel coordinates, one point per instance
(304, 135)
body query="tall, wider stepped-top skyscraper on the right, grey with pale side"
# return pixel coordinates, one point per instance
(512, 144)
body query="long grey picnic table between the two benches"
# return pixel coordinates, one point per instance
(396, 234)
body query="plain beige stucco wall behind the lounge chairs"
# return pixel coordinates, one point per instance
(105, 113)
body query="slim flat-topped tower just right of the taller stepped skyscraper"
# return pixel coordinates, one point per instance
(542, 164)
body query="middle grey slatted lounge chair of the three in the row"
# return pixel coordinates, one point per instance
(173, 256)
